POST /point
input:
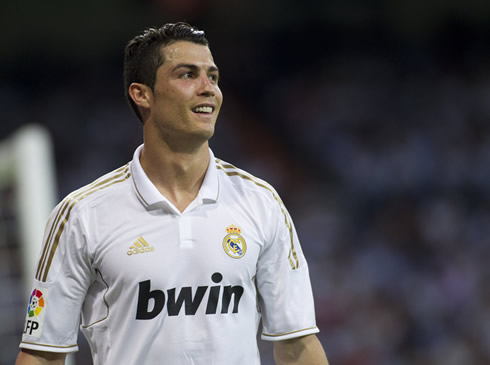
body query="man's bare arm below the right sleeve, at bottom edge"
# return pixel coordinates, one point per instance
(300, 351)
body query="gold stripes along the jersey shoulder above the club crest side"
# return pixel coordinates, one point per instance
(231, 170)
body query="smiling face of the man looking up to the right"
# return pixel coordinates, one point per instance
(186, 98)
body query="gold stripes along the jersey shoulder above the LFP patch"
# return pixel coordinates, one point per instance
(63, 214)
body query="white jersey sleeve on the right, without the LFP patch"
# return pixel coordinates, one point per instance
(283, 283)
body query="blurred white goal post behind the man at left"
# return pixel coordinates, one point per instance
(27, 164)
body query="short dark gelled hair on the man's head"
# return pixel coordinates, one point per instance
(143, 56)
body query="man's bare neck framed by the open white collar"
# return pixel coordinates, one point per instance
(177, 173)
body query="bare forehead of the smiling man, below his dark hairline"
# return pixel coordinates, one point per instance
(187, 52)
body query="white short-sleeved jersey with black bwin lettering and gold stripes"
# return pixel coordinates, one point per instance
(154, 285)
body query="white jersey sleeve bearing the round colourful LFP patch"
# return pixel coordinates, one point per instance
(61, 280)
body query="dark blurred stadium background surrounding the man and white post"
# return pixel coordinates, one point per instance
(371, 119)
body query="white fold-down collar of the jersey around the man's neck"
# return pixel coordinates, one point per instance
(151, 198)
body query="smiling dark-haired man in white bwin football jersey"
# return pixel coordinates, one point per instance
(175, 257)
